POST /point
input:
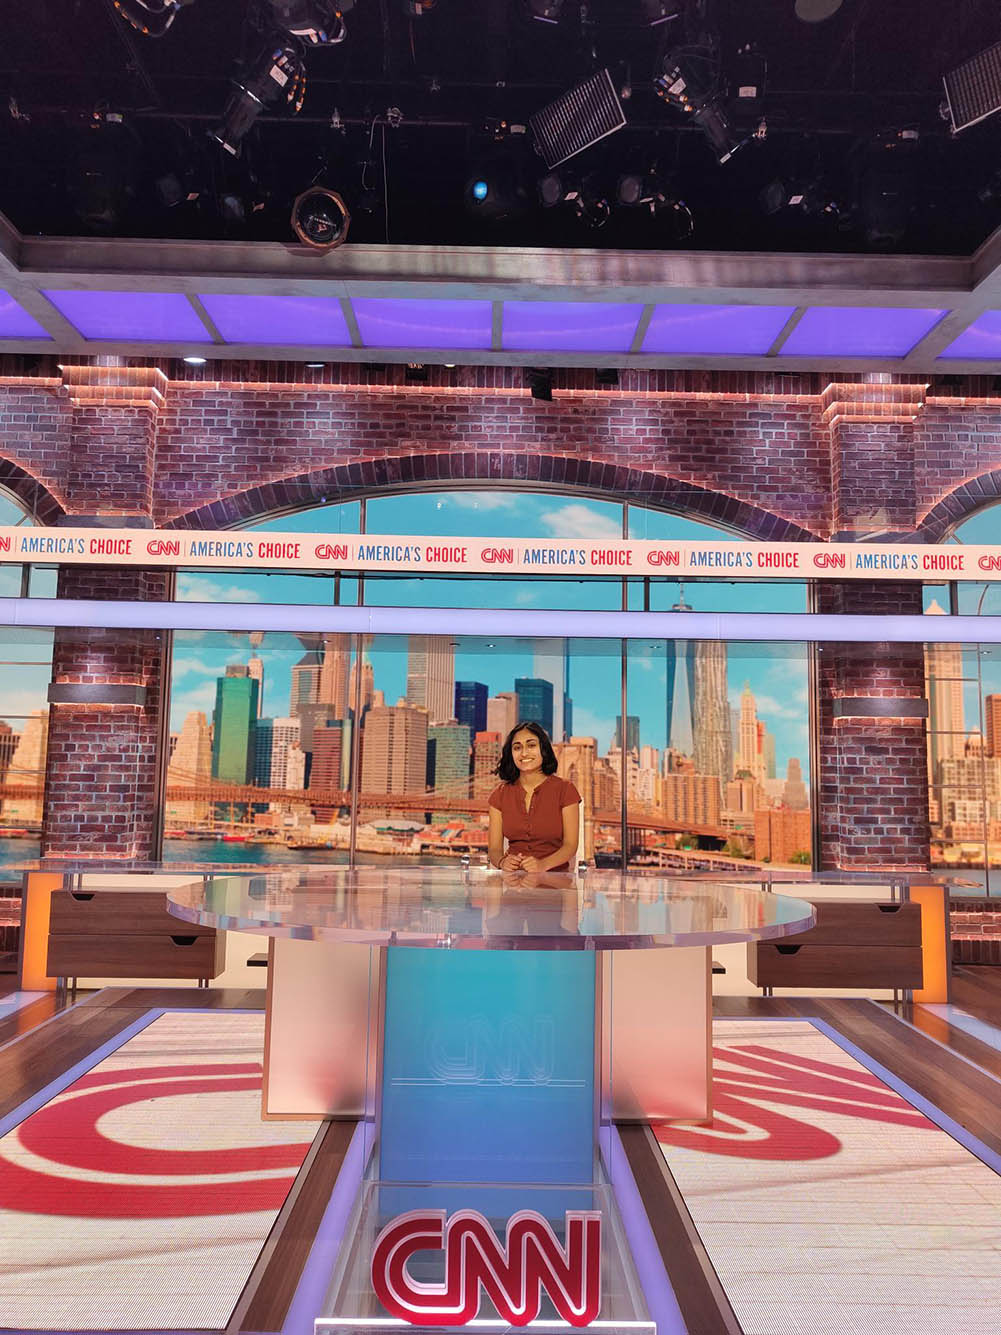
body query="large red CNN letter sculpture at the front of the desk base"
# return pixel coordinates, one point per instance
(512, 1276)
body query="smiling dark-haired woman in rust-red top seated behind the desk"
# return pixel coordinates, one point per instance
(533, 811)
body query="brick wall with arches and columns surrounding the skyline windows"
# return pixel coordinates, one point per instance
(776, 457)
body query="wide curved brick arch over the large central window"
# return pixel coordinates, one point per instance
(440, 472)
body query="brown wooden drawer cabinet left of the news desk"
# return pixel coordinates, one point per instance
(127, 935)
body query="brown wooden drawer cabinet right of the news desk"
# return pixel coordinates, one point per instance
(855, 945)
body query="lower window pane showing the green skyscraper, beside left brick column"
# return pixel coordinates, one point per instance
(261, 748)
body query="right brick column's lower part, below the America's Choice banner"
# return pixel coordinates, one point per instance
(872, 754)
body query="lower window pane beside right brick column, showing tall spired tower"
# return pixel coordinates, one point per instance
(717, 755)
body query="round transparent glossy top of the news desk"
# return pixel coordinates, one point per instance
(486, 910)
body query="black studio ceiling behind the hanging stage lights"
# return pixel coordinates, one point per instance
(838, 97)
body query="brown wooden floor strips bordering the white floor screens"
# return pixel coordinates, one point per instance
(956, 1073)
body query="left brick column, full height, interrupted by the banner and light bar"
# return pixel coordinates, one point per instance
(102, 767)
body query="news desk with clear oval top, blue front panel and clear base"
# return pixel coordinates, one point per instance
(488, 1033)
